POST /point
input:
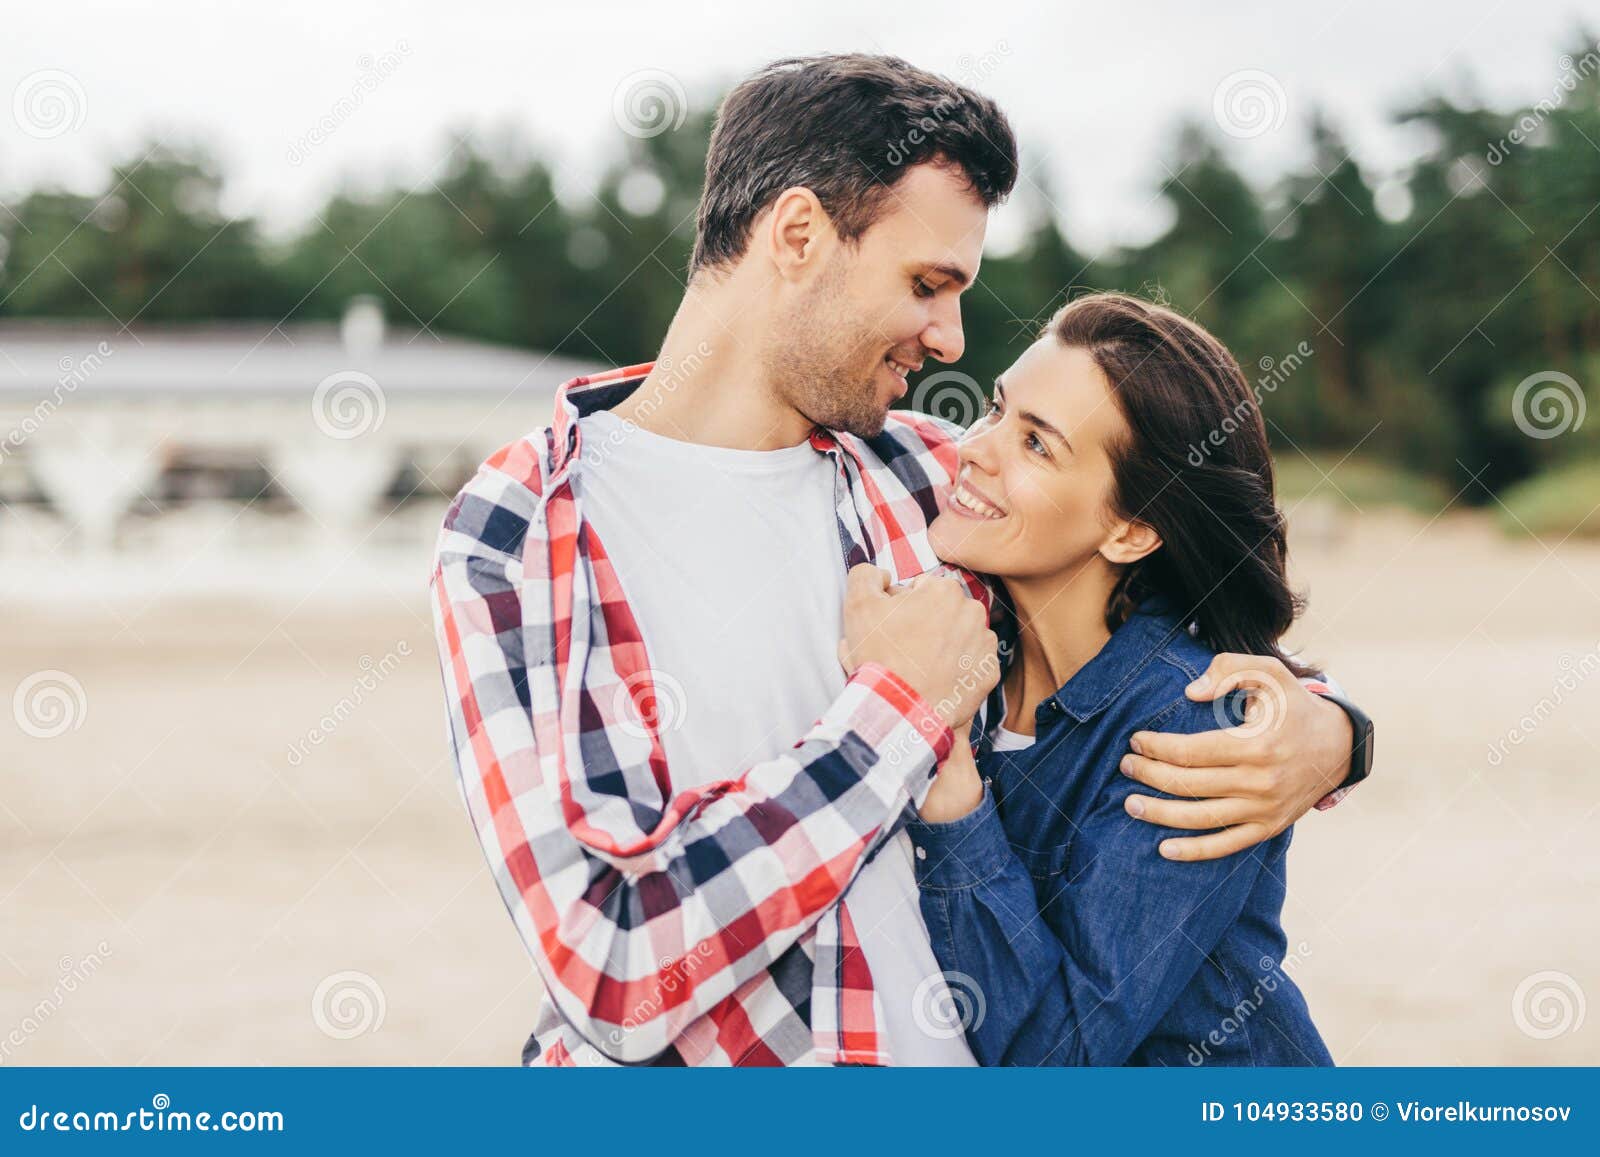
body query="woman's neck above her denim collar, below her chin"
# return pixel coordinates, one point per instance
(1062, 625)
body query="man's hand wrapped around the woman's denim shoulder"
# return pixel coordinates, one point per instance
(1252, 780)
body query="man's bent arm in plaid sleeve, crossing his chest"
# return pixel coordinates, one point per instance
(646, 908)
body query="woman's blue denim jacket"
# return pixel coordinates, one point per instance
(1068, 937)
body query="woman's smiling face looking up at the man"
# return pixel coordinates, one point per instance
(1031, 498)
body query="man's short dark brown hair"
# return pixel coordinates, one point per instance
(847, 129)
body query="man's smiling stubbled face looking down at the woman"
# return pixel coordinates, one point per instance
(882, 306)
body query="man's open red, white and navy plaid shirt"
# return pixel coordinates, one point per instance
(673, 927)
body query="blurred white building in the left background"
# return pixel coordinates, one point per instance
(118, 446)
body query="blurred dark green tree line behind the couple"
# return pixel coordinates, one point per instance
(1484, 268)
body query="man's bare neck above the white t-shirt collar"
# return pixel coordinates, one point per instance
(708, 385)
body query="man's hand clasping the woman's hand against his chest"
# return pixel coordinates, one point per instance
(930, 633)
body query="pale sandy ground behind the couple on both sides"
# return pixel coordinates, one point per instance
(180, 883)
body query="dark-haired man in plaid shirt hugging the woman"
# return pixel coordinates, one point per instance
(639, 614)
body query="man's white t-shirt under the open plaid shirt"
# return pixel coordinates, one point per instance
(734, 569)
